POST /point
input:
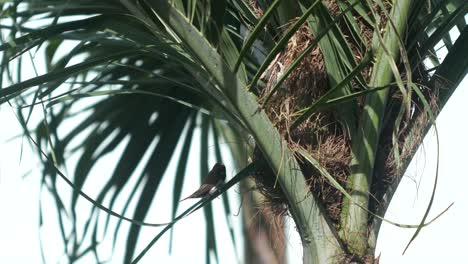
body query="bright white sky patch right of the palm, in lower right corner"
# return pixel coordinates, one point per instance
(445, 240)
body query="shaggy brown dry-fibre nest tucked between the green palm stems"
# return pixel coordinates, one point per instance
(321, 135)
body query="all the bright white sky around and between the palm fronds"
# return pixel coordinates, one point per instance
(442, 242)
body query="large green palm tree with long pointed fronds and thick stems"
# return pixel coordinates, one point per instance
(329, 99)
